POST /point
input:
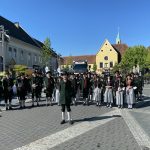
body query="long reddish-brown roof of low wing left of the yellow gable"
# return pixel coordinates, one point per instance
(91, 59)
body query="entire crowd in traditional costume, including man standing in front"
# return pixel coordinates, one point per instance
(68, 89)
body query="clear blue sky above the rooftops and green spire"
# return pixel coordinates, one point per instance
(79, 27)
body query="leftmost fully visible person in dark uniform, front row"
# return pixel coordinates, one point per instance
(8, 92)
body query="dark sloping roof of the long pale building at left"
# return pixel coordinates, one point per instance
(17, 32)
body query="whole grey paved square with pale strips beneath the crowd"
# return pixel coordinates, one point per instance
(94, 128)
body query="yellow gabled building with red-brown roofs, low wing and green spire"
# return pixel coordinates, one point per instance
(107, 56)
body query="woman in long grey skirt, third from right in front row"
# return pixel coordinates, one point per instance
(108, 98)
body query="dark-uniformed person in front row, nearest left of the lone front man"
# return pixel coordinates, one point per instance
(49, 85)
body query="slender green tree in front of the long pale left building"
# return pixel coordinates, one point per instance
(46, 51)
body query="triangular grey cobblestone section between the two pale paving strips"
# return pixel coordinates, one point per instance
(114, 135)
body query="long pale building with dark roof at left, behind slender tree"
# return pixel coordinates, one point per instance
(18, 47)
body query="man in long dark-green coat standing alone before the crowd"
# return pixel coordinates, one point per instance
(65, 97)
